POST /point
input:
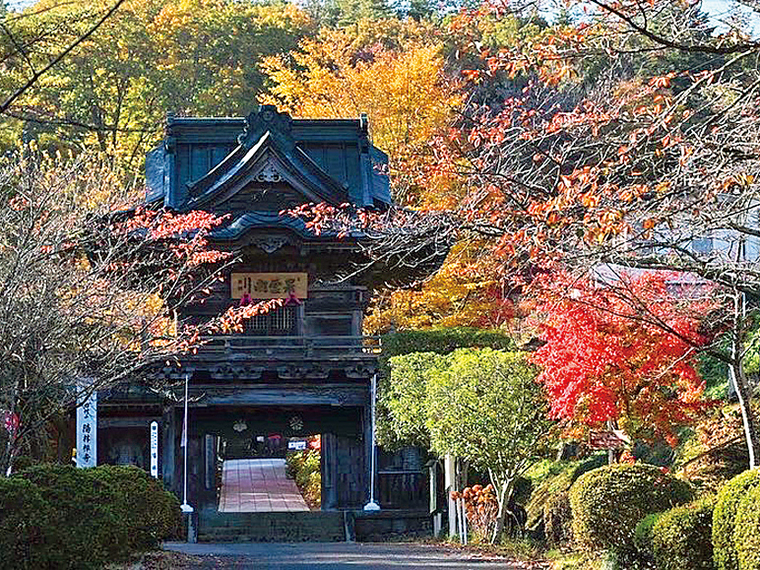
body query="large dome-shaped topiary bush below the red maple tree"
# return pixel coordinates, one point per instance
(609, 502)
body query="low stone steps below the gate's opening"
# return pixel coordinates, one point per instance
(313, 526)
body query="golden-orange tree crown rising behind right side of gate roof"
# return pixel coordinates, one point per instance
(404, 91)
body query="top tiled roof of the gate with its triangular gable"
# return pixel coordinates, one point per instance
(205, 162)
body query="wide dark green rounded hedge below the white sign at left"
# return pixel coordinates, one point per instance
(94, 516)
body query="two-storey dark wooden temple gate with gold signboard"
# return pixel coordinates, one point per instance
(304, 369)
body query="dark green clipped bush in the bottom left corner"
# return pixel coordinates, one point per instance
(24, 522)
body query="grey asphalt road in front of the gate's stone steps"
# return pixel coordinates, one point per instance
(334, 556)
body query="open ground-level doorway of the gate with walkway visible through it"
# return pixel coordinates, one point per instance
(227, 435)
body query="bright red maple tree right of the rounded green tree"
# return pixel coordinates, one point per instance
(606, 360)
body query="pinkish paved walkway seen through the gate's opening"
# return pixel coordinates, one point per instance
(257, 486)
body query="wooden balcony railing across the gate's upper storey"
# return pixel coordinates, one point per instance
(292, 346)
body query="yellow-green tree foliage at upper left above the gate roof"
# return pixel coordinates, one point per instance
(149, 58)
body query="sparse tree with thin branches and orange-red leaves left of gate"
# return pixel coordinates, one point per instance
(90, 284)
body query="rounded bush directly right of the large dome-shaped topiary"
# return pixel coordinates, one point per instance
(682, 537)
